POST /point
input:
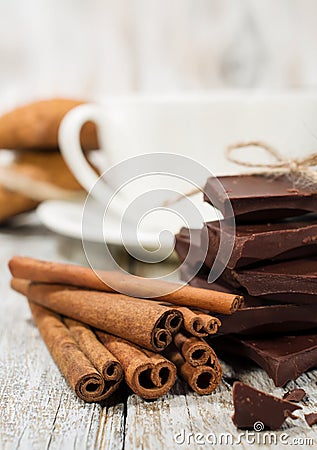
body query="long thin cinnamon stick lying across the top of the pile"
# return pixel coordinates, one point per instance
(51, 272)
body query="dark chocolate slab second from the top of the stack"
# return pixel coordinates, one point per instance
(260, 241)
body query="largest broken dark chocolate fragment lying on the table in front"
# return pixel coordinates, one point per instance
(258, 410)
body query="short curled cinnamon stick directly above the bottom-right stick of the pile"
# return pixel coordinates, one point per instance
(196, 351)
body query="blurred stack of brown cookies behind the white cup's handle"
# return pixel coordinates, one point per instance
(37, 171)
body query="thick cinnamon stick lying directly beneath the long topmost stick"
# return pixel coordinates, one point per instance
(143, 322)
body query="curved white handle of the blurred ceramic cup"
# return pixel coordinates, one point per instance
(69, 142)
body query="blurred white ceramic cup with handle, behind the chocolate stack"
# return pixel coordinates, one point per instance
(199, 126)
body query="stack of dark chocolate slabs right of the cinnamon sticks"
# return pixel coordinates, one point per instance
(273, 264)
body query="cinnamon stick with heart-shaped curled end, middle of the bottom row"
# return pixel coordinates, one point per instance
(148, 374)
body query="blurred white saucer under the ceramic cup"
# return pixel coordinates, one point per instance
(65, 218)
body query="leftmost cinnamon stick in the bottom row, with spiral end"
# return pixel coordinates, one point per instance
(82, 376)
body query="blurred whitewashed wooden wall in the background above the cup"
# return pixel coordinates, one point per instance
(96, 47)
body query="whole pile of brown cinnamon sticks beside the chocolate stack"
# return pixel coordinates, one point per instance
(99, 337)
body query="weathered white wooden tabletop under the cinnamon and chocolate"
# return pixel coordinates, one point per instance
(38, 410)
